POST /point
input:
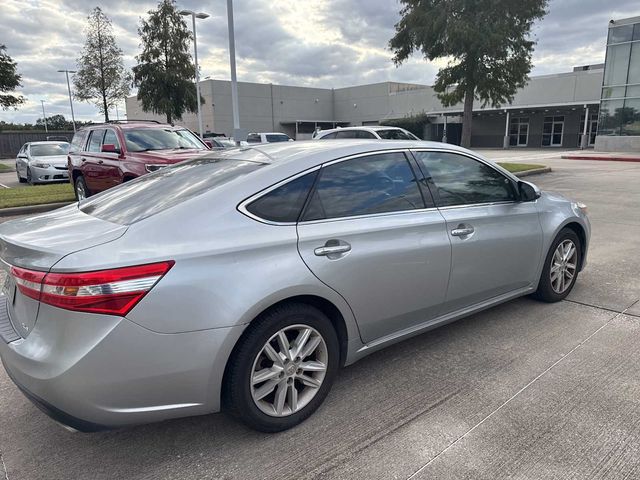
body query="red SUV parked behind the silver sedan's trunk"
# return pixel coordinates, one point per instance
(102, 156)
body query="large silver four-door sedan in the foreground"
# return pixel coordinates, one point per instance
(245, 279)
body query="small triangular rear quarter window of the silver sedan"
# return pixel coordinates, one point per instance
(284, 204)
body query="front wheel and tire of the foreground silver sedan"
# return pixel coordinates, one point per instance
(559, 274)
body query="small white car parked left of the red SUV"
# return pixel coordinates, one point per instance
(42, 162)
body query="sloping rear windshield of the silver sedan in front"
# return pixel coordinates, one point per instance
(150, 194)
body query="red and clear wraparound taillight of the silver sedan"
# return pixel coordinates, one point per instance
(113, 292)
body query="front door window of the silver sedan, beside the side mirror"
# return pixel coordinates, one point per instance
(461, 180)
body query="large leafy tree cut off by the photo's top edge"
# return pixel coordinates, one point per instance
(487, 42)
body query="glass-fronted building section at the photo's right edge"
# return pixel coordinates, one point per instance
(620, 98)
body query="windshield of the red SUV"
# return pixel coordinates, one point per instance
(145, 139)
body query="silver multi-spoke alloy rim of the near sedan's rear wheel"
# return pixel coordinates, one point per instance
(289, 370)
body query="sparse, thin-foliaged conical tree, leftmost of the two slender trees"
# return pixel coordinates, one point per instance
(101, 78)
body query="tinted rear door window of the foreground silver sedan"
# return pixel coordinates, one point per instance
(371, 184)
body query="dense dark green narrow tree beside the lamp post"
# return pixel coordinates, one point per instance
(164, 74)
